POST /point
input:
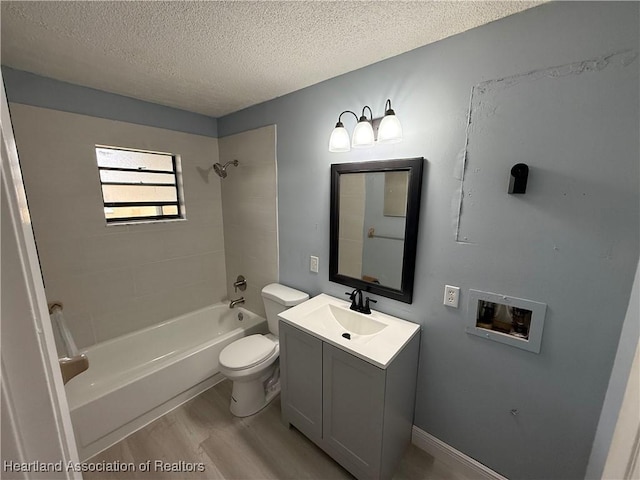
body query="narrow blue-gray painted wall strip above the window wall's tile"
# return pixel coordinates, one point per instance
(30, 89)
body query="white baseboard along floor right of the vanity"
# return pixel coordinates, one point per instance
(450, 456)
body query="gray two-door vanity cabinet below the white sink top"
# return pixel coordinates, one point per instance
(358, 413)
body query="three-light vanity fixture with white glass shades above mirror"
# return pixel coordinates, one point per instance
(389, 130)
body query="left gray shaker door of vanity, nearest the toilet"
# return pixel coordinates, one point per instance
(301, 380)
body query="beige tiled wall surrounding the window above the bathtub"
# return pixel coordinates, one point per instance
(119, 278)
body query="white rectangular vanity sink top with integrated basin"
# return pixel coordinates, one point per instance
(376, 338)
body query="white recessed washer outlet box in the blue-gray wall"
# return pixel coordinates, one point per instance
(510, 320)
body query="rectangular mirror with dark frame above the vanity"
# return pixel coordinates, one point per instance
(375, 208)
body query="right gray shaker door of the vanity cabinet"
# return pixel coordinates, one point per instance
(353, 403)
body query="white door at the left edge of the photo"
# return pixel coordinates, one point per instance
(36, 426)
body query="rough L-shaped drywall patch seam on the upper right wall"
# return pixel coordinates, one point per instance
(597, 64)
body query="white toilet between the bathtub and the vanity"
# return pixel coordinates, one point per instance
(252, 362)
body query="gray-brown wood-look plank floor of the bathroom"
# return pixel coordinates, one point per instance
(257, 447)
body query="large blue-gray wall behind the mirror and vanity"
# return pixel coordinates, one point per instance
(580, 261)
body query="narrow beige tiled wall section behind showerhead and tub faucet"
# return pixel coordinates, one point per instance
(249, 201)
